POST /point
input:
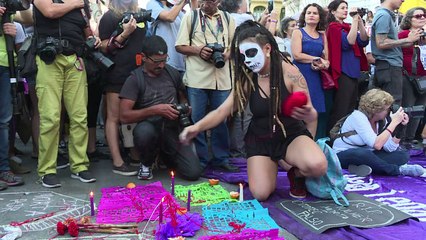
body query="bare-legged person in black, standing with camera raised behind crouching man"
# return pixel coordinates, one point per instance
(122, 30)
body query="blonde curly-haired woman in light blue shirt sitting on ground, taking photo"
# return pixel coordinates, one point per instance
(371, 139)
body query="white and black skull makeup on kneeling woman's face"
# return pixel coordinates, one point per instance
(253, 56)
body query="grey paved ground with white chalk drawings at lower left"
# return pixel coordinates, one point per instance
(32, 199)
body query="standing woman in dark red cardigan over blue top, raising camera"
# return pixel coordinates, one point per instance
(346, 44)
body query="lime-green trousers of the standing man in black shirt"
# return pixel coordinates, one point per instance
(62, 80)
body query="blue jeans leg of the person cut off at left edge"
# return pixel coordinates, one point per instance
(5, 116)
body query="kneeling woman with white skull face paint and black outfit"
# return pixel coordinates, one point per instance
(263, 79)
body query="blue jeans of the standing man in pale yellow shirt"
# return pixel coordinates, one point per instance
(219, 140)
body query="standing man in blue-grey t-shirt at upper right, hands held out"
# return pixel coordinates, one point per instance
(386, 48)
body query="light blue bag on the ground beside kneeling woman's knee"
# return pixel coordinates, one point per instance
(332, 184)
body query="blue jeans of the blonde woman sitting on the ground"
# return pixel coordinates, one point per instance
(381, 162)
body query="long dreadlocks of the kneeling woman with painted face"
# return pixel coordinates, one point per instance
(243, 84)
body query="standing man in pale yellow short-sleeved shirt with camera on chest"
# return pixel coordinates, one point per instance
(206, 45)
